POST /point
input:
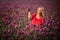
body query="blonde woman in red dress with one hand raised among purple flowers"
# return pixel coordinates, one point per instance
(37, 18)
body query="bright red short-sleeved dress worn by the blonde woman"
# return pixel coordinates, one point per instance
(36, 21)
